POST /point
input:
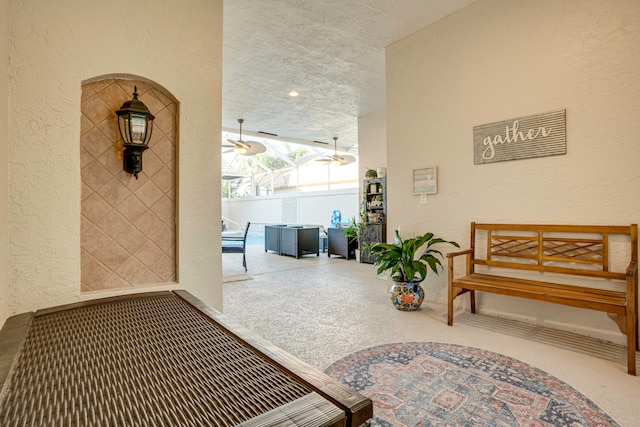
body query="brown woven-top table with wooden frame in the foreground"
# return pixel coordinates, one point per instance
(160, 359)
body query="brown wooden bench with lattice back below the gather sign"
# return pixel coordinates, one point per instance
(553, 251)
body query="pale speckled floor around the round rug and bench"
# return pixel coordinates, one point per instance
(321, 309)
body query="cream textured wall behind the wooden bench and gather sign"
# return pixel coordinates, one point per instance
(499, 59)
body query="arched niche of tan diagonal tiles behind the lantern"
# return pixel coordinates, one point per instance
(128, 226)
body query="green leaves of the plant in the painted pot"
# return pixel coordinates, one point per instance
(401, 260)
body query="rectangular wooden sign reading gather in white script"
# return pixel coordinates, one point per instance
(526, 137)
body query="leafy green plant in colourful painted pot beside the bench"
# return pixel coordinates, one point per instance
(408, 262)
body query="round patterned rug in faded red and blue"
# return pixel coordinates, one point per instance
(436, 384)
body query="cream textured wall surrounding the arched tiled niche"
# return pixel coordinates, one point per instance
(56, 46)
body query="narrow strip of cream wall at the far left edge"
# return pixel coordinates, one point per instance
(4, 146)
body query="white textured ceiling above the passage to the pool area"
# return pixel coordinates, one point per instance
(330, 51)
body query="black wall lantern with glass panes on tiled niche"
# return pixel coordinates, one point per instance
(135, 122)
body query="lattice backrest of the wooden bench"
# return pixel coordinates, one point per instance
(568, 249)
